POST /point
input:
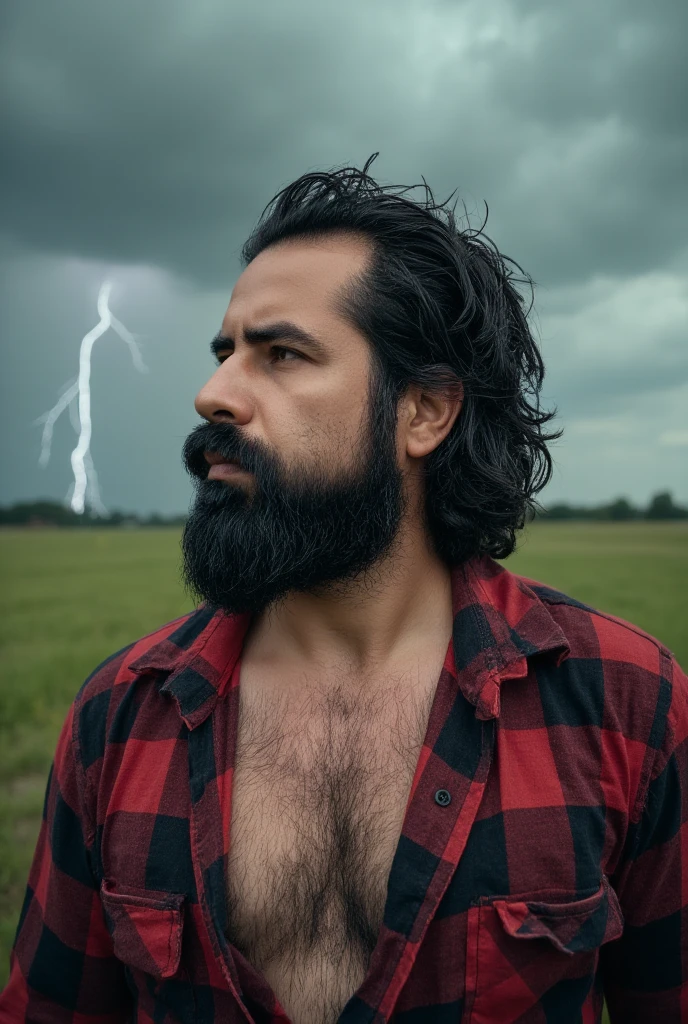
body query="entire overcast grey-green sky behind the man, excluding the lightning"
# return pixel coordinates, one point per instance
(142, 143)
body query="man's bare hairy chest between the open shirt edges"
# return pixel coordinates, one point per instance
(320, 791)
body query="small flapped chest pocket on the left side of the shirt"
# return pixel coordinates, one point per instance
(146, 927)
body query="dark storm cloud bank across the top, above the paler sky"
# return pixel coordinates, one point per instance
(156, 133)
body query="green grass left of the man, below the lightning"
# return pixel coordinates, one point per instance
(69, 600)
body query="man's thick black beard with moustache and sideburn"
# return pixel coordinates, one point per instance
(245, 548)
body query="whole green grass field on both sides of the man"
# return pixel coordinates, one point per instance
(71, 599)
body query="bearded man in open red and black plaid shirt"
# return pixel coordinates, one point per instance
(375, 777)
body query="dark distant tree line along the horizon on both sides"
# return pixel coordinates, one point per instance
(46, 514)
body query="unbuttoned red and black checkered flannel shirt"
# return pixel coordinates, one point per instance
(556, 873)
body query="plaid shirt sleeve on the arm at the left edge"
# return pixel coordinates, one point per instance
(63, 968)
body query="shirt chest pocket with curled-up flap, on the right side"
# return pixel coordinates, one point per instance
(520, 950)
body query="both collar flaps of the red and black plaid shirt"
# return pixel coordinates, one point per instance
(499, 624)
